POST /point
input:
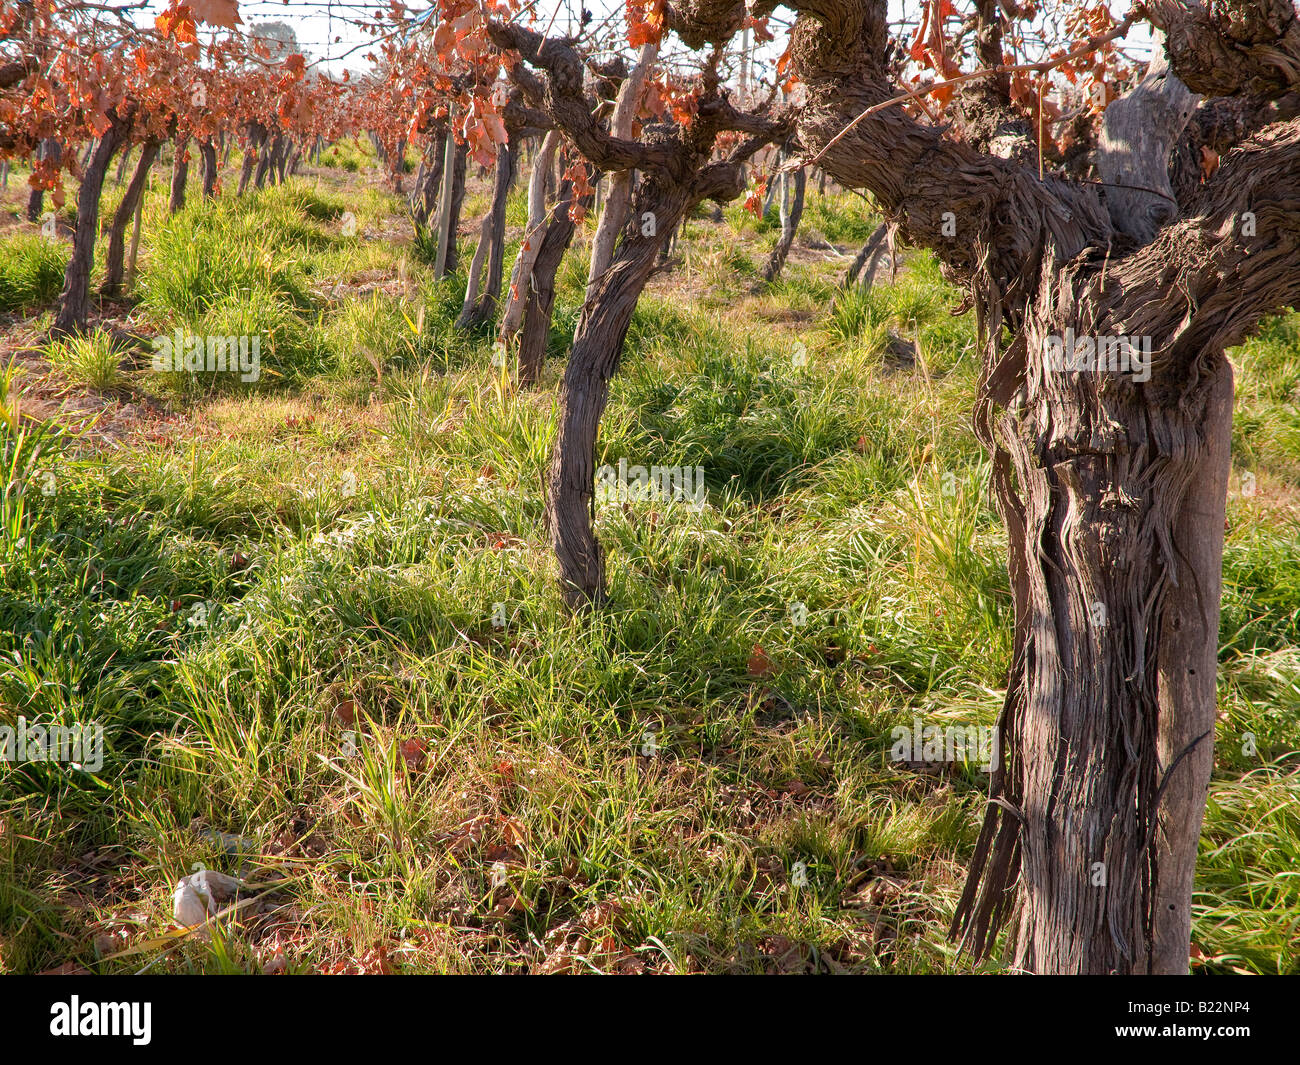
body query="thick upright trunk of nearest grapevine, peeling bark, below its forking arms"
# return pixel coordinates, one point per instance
(1116, 529)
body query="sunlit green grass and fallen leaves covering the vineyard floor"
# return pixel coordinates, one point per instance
(317, 620)
